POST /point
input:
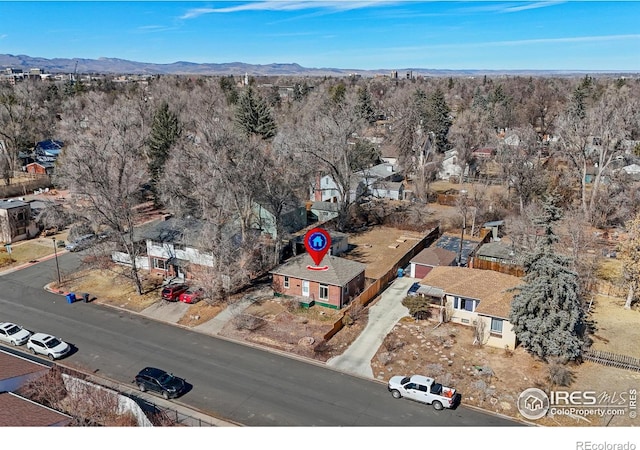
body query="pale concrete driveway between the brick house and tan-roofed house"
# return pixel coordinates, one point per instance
(383, 316)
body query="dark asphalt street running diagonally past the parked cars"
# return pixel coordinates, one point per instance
(238, 382)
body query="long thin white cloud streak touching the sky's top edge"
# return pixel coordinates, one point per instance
(277, 5)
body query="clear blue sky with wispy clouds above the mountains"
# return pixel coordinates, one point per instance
(375, 34)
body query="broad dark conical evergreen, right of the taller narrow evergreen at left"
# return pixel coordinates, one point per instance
(253, 115)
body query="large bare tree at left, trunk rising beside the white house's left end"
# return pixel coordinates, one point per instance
(103, 165)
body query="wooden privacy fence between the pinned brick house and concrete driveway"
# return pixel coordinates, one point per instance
(381, 283)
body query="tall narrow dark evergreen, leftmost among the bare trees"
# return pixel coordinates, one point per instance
(165, 131)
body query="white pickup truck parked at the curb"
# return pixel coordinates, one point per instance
(423, 389)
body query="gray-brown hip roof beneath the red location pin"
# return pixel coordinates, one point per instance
(340, 270)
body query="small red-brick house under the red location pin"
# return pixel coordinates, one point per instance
(333, 288)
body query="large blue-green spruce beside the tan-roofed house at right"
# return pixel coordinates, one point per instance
(547, 313)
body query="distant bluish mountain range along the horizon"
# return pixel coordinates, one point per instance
(123, 66)
